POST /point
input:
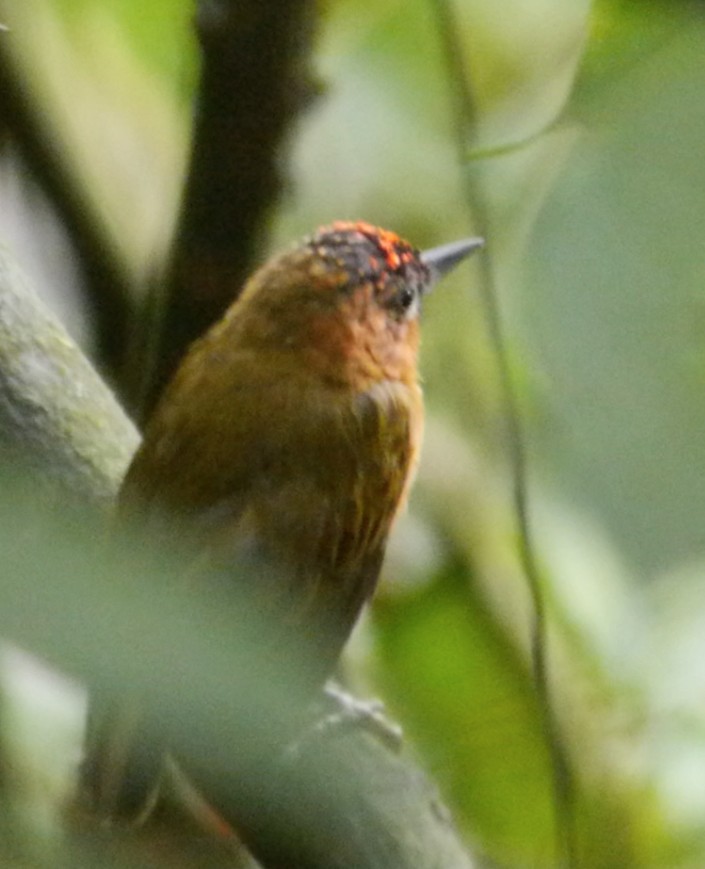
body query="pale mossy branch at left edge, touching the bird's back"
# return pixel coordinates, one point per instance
(56, 414)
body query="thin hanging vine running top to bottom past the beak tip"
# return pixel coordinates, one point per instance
(465, 118)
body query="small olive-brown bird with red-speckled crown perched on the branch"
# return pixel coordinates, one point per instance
(287, 440)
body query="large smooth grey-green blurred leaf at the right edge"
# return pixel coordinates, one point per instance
(613, 308)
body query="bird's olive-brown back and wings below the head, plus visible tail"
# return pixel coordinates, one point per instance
(266, 468)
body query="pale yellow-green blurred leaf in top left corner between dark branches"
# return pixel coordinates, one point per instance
(117, 118)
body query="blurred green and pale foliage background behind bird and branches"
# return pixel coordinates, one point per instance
(589, 156)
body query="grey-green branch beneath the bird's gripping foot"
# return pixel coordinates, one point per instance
(349, 802)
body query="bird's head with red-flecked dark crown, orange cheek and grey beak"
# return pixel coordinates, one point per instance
(346, 300)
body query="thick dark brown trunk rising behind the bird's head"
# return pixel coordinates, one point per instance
(255, 79)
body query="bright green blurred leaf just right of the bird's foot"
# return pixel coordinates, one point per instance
(464, 696)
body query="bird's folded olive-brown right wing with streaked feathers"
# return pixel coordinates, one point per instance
(325, 522)
